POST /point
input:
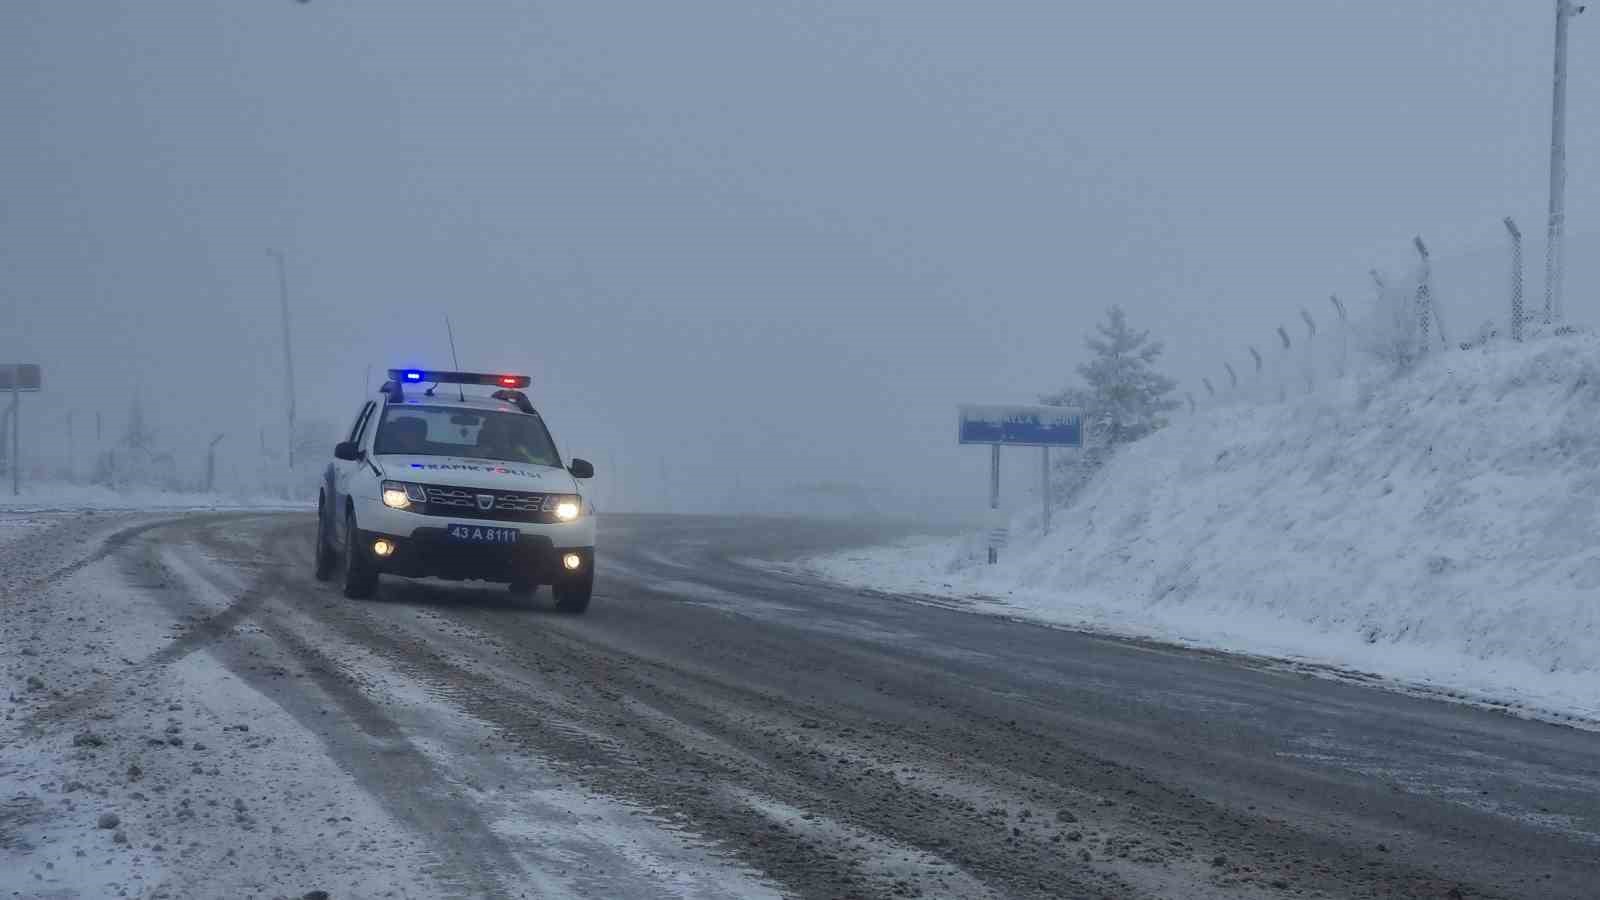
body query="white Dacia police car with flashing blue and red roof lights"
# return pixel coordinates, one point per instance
(433, 481)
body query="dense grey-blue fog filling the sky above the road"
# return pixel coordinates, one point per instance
(740, 247)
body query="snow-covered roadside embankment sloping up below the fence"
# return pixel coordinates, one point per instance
(1439, 529)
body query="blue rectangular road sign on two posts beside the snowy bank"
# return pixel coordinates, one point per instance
(1001, 425)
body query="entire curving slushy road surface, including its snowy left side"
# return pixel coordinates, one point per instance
(711, 729)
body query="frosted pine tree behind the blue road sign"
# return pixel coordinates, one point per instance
(1122, 396)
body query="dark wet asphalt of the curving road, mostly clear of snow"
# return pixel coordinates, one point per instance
(850, 744)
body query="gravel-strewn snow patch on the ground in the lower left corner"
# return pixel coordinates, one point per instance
(129, 776)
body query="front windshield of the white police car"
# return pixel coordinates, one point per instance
(474, 435)
